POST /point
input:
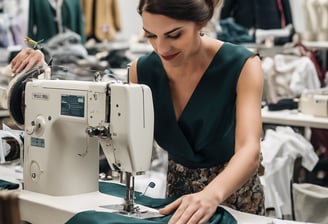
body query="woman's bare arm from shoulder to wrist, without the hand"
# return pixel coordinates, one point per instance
(246, 158)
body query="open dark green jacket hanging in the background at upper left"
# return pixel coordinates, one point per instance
(42, 24)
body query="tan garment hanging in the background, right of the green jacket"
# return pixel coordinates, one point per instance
(102, 19)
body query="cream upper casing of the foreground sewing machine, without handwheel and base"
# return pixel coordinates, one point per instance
(60, 157)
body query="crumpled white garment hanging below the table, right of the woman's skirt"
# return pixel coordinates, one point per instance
(280, 148)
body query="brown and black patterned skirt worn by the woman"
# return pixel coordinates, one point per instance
(182, 180)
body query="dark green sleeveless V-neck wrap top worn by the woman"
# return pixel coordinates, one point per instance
(204, 135)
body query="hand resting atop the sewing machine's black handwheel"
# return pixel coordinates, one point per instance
(26, 59)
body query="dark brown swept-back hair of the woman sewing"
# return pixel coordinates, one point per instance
(190, 10)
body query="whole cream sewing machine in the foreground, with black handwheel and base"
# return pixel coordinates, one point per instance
(65, 123)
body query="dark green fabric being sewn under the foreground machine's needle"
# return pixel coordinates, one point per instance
(93, 217)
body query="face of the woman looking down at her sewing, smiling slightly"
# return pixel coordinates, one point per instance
(175, 41)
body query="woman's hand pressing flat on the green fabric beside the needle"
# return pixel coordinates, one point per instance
(191, 209)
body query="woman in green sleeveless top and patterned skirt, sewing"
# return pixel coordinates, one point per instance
(207, 105)
